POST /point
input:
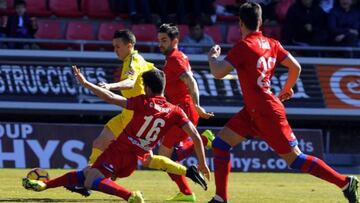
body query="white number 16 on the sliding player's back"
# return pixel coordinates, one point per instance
(154, 130)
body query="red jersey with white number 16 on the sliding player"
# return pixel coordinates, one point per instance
(153, 116)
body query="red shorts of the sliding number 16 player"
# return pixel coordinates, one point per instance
(115, 160)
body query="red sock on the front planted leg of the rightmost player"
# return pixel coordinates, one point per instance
(222, 170)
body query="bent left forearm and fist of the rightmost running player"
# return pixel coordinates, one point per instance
(218, 68)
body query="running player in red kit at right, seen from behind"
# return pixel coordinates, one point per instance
(255, 58)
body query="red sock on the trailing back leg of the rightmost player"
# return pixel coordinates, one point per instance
(320, 169)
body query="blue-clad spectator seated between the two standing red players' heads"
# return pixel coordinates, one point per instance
(196, 36)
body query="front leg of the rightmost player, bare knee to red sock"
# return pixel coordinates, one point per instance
(221, 146)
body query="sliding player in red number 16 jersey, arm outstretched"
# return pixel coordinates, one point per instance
(153, 117)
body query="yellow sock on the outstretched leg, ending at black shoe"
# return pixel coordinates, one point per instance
(165, 164)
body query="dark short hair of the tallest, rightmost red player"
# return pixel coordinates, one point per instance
(250, 14)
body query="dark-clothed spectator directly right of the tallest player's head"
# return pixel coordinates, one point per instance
(305, 24)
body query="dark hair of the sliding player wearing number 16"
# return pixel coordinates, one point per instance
(154, 79)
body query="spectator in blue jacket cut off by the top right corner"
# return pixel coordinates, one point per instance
(344, 24)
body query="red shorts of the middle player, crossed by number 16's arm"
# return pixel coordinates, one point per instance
(175, 134)
